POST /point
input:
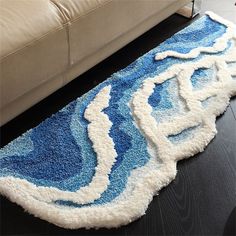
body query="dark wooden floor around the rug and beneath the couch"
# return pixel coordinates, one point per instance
(202, 198)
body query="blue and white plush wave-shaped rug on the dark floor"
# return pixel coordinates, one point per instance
(99, 161)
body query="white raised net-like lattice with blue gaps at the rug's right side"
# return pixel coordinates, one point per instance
(222, 89)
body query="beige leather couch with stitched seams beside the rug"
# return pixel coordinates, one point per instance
(44, 44)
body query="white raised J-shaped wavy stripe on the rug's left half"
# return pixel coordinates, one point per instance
(98, 132)
